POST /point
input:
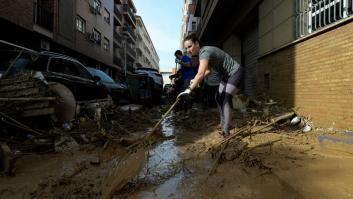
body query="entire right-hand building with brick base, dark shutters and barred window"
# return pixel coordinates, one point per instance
(298, 52)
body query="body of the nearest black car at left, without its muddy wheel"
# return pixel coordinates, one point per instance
(55, 68)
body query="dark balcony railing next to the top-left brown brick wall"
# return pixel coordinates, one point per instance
(43, 17)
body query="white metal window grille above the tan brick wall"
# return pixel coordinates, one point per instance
(312, 15)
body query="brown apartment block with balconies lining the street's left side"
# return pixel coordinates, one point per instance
(99, 33)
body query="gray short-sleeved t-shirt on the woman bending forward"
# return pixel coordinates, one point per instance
(219, 60)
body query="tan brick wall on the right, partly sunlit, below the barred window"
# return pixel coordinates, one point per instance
(316, 76)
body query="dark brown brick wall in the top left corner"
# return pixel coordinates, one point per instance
(19, 12)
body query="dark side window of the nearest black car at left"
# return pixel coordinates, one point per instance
(68, 67)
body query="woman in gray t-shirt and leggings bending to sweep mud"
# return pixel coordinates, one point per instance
(229, 70)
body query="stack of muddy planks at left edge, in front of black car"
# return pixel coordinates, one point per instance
(25, 95)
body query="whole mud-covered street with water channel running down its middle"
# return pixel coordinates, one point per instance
(277, 162)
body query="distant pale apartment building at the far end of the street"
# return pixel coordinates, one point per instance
(146, 53)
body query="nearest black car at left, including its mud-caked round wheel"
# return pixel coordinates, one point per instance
(65, 76)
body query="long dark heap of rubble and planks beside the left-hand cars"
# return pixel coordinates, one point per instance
(29, 123)
